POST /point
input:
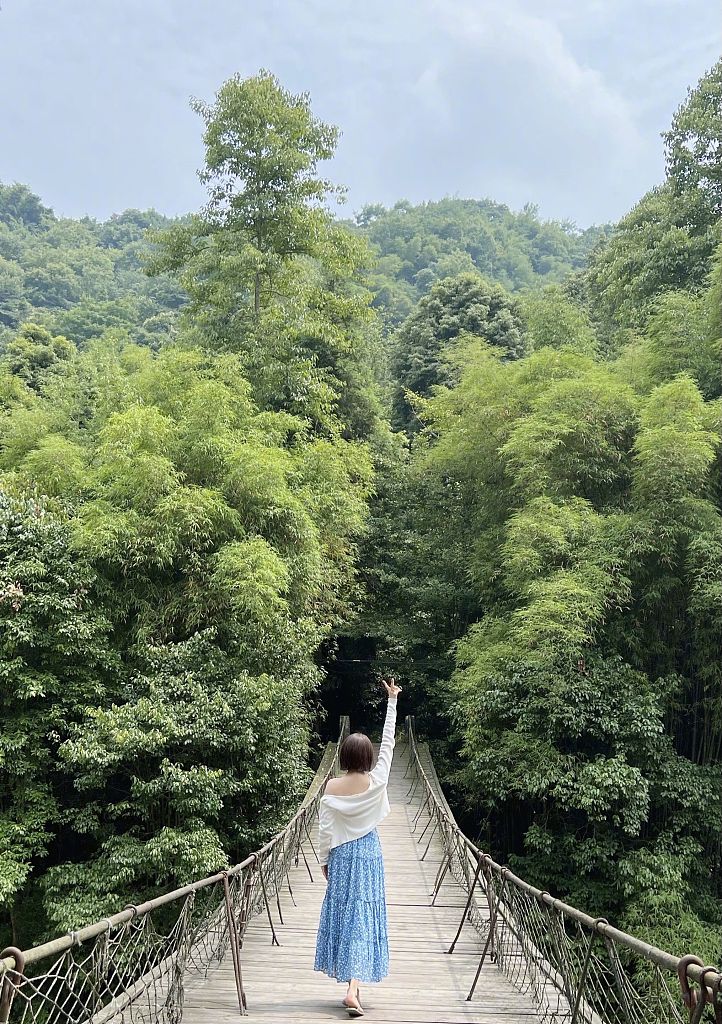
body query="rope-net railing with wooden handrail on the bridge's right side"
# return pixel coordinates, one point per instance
(574, 967)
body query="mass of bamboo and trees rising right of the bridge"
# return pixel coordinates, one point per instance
(548, 561)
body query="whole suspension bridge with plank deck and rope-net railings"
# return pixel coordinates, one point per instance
(470, 941)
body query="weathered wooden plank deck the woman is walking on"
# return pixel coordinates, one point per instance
(426, 986)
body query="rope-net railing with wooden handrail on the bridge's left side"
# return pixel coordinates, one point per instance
(135, 966)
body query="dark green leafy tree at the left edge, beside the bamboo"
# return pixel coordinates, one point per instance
(55, 660)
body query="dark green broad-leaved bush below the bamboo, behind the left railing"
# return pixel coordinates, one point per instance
(186, 777)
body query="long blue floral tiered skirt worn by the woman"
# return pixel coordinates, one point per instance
(353, 941)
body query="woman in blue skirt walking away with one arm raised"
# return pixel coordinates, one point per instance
(353, 944)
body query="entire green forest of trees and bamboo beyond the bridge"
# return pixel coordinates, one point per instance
(251, 456)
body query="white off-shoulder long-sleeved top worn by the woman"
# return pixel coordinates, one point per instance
(345, 819)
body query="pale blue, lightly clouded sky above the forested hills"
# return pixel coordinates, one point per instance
(558, 103)
